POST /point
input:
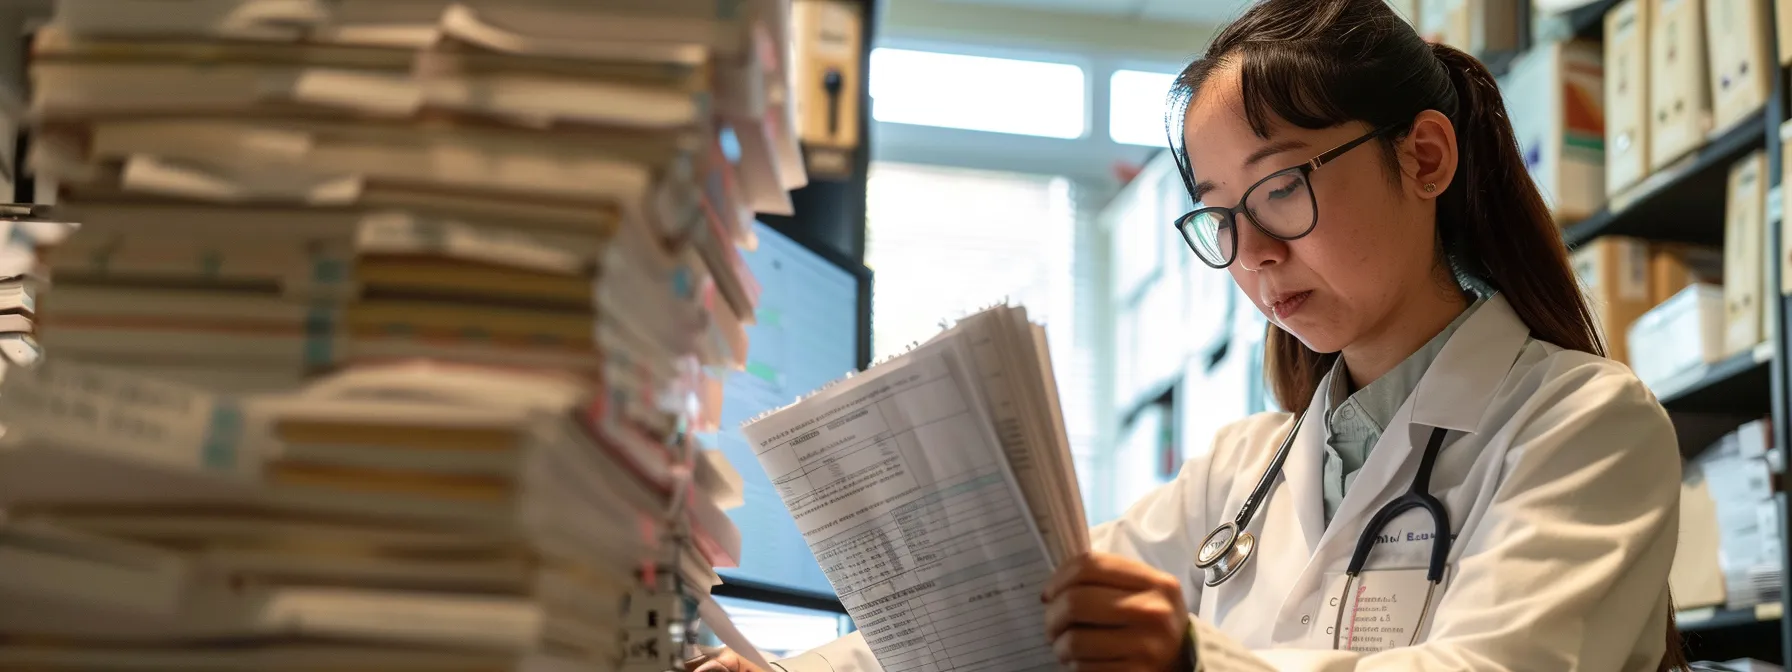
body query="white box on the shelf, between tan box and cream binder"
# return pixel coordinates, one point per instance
(1678, 336)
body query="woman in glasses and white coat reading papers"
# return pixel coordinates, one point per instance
(1365, 189)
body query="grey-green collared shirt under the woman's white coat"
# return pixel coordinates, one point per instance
(1356, 422)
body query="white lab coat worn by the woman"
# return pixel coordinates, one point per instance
(1562, 479)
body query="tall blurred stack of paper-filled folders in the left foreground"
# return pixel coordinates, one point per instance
(386, 331)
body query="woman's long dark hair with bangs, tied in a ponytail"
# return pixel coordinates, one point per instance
(1320, 64)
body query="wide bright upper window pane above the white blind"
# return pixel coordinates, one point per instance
(979, 94)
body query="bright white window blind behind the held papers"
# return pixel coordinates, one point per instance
(947, 243)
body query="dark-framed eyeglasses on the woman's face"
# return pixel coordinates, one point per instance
(1282, 207)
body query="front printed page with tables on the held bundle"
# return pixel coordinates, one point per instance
(900, 488)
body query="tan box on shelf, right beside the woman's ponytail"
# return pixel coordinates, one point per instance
(1614, 273)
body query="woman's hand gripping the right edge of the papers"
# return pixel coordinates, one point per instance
(1110, 614)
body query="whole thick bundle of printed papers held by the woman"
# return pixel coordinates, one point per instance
(938, 495)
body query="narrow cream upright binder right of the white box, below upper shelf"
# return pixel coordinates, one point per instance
(1745, 237)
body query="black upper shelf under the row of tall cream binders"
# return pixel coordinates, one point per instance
(1684, 202)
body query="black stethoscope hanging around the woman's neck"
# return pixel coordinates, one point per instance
(1230, 547)
